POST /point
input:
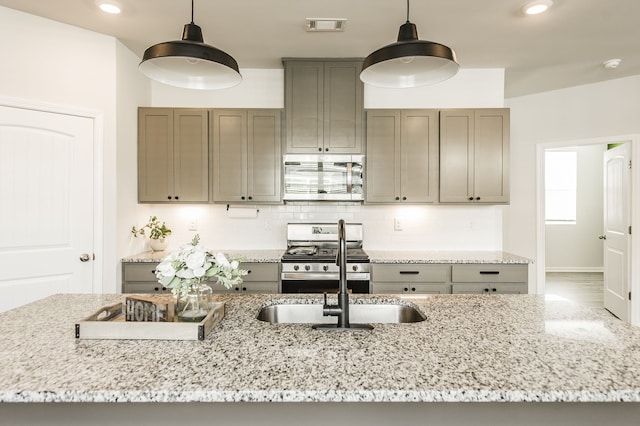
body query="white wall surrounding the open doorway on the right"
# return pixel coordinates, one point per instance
(583, 112)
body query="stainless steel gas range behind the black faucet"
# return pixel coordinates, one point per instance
(309, 264)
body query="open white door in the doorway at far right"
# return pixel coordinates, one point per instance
(617, 172)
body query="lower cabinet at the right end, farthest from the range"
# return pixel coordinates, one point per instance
(489, 279)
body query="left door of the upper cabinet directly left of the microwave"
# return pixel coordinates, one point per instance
(229, 129)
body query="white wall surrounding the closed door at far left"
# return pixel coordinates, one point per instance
(54, 64)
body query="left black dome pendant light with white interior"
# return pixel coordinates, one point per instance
(190, 62)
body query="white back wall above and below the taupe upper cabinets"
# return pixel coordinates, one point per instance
(424, 227)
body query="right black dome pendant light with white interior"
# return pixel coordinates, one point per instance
(409, 62)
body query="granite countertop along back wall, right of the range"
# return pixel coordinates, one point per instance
(437, 256)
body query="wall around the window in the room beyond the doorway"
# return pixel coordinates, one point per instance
(576, 247)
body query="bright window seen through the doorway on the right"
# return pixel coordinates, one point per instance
(560, 182)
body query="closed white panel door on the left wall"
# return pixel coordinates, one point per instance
(46, 213)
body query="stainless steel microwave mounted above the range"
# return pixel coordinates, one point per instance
(323, 177)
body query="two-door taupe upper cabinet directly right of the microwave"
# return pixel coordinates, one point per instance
(402, 156)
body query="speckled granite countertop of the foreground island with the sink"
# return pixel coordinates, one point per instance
(470, 348)
